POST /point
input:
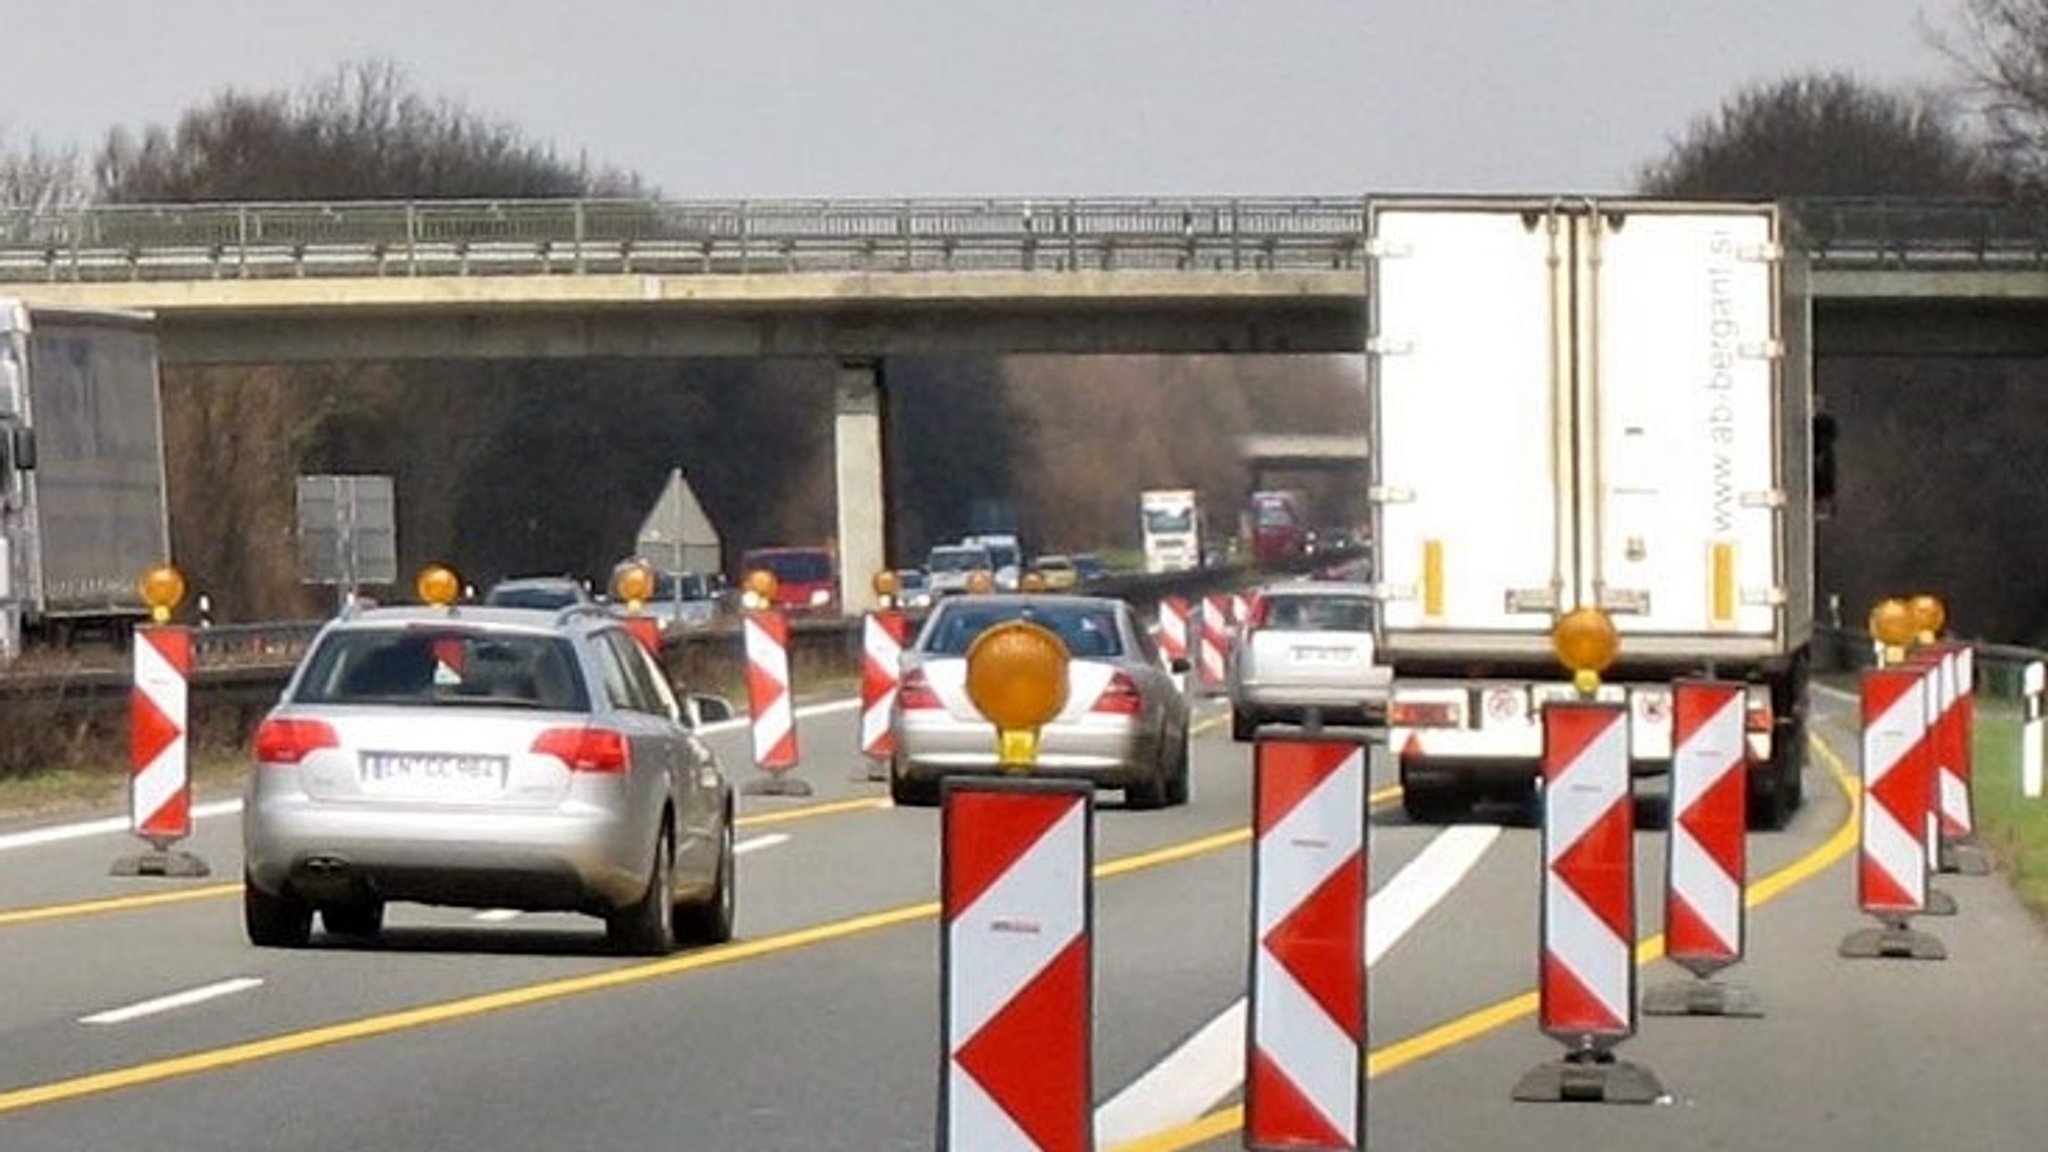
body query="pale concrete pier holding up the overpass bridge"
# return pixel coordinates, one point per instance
(863, 505)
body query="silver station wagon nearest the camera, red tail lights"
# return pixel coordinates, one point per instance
(488, 759)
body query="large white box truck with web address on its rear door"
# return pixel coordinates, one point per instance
(1586, 405)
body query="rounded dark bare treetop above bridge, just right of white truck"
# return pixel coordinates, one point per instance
(1822, 134)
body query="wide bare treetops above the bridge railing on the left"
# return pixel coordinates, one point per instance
(359, 134)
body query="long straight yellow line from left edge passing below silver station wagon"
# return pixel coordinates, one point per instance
(388, 1024)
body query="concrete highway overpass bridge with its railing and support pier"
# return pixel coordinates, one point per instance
(857, 282)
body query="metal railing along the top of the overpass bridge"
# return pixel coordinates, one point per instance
(417, 239)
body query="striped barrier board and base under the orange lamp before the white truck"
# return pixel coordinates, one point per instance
(1588, 973)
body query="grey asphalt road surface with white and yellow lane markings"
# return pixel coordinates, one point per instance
(140, 1018)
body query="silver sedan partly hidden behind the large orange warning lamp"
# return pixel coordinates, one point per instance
(1125, 725)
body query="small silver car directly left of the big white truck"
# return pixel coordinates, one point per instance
(1308, 647)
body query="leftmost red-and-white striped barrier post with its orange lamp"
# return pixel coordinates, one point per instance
(161, 788)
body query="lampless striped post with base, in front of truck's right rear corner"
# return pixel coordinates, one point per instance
(1707, 852)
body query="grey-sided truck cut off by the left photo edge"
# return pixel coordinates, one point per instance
(83, 501)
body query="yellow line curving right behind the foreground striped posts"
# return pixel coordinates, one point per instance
(1471, 1026)
